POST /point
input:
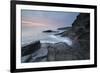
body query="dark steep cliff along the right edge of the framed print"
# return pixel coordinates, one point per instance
(80, 32)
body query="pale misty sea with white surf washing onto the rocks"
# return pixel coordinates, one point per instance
(49, 37)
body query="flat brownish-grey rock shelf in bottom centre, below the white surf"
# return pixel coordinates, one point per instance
(61, 52)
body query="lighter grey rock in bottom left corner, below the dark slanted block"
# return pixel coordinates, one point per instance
(38, 56)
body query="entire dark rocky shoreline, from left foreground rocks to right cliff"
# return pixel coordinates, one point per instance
(79, 50)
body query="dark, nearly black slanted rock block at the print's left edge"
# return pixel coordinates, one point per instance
(31, 48)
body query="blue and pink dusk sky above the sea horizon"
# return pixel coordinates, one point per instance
(47, 19)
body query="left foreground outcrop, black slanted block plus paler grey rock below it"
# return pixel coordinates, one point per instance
(34, 52)
